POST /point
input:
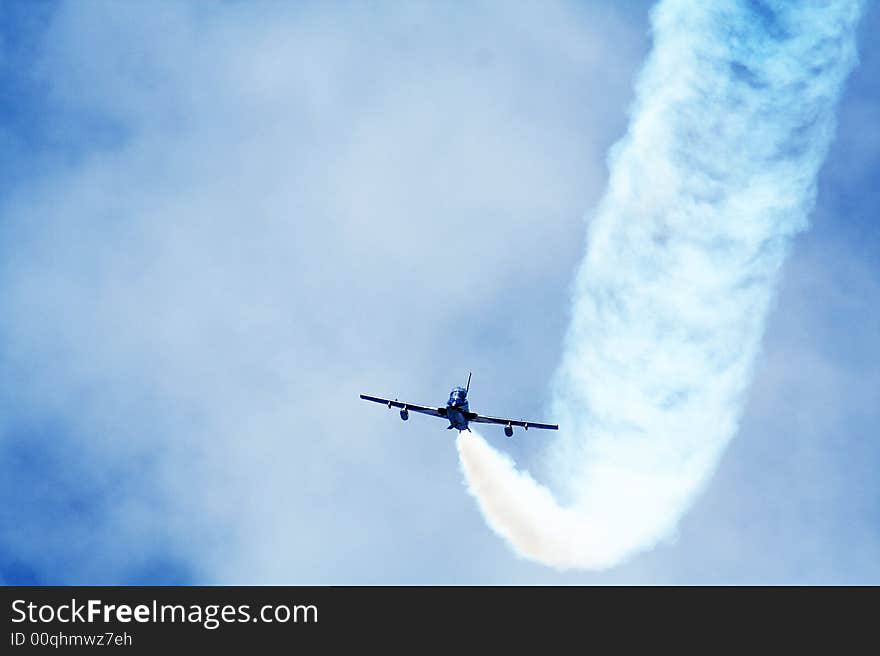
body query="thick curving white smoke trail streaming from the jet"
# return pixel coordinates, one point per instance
(733, 116)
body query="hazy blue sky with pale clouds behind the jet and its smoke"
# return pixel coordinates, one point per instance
(220, 223)
